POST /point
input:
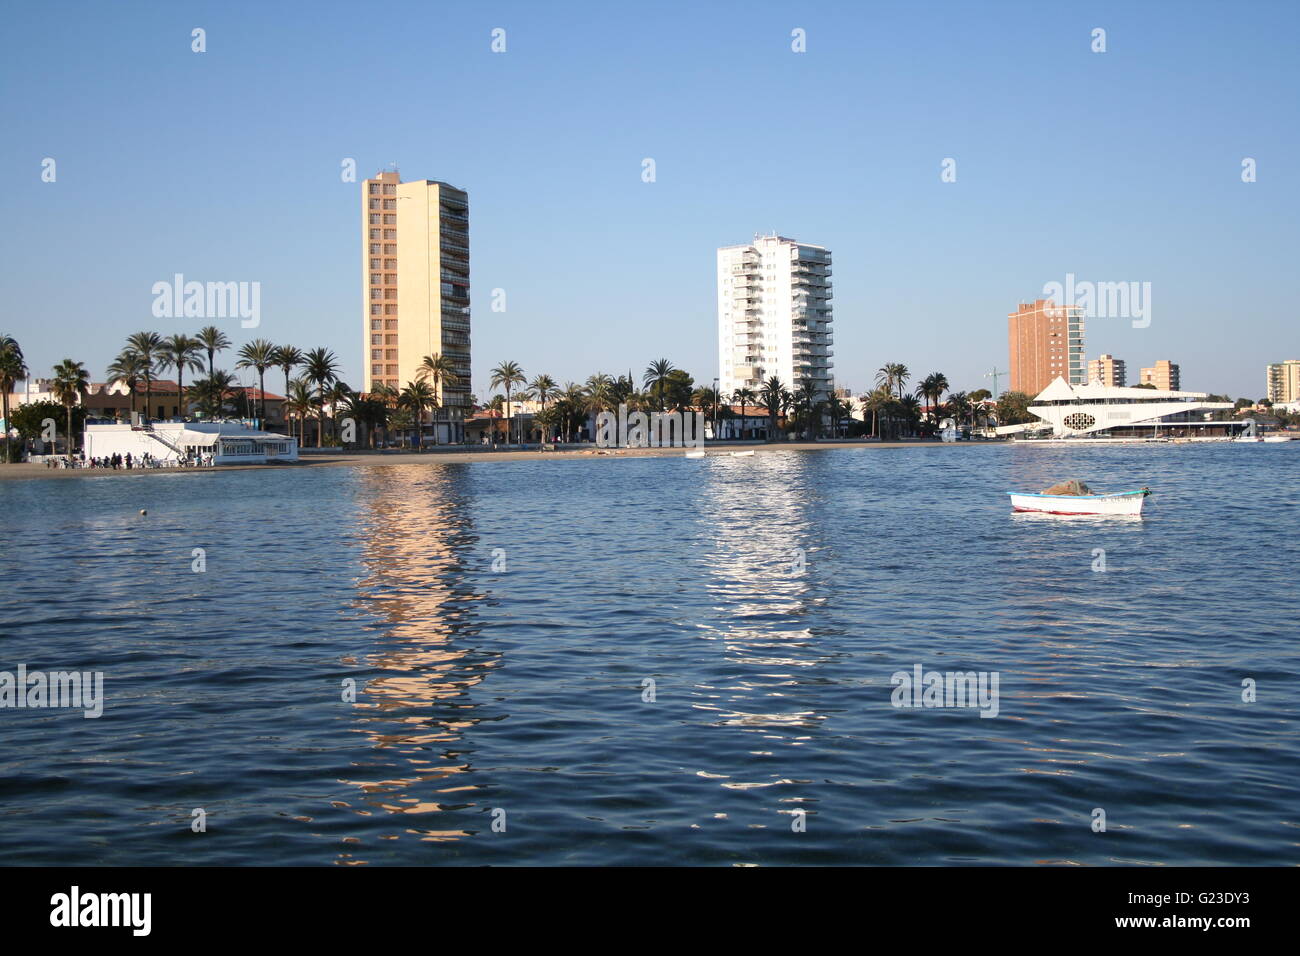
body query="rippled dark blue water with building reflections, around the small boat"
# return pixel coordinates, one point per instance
(518, 695)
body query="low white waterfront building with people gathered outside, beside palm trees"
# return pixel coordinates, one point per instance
(219, 443)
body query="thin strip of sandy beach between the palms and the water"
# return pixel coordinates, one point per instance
(29, 470)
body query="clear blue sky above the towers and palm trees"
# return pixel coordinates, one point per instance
(226, 166)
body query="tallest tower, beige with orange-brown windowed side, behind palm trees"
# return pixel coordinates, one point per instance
(415, 272)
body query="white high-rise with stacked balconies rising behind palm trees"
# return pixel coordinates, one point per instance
(774, 315)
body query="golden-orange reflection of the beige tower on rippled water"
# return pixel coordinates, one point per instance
(417, 710)
